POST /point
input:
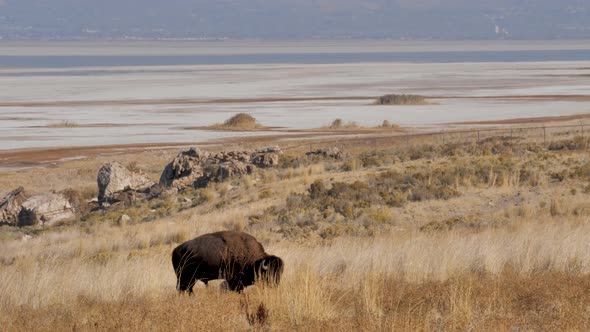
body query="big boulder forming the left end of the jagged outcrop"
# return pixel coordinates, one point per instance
(184, 170)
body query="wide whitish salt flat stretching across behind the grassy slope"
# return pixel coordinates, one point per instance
(149, 104)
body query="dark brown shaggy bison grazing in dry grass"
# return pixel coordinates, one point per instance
(236, 257)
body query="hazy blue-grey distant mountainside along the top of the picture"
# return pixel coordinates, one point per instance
(294, 19)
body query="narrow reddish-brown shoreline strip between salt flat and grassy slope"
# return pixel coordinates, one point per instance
(15, 159)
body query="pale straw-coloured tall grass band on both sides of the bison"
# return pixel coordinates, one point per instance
(62, 269)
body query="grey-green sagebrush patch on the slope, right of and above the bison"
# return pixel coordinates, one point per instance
(339, 208)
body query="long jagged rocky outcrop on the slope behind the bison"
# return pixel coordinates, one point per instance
(196, 168)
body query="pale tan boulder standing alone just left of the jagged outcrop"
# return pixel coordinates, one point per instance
(114, 178)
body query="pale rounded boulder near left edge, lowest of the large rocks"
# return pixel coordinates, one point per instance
(45, 210)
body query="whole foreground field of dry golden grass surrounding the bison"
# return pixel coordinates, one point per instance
(533, 276)
